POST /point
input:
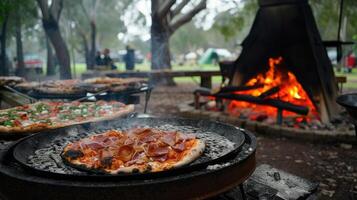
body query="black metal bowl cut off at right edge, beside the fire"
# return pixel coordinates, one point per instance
(349, 102)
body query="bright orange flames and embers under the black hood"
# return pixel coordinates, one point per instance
(290, 91)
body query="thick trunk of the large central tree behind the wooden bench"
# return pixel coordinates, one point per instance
(160, 50)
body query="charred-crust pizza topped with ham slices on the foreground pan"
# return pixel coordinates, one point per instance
(137, 150)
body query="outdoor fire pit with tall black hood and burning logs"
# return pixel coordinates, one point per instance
(282, 81)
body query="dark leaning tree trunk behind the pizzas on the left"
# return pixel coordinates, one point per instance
(52, 30)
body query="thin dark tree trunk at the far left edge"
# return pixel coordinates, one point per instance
(4, 71)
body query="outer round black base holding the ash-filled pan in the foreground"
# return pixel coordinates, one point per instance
(19, 183)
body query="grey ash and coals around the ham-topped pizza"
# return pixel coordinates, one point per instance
(48, 158)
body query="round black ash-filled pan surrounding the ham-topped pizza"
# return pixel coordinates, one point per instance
(223, 142)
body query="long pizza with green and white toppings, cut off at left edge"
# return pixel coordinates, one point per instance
(49, 115)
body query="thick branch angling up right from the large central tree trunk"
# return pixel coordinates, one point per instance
(183, 19)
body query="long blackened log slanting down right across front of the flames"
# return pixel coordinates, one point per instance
(282, 105)
